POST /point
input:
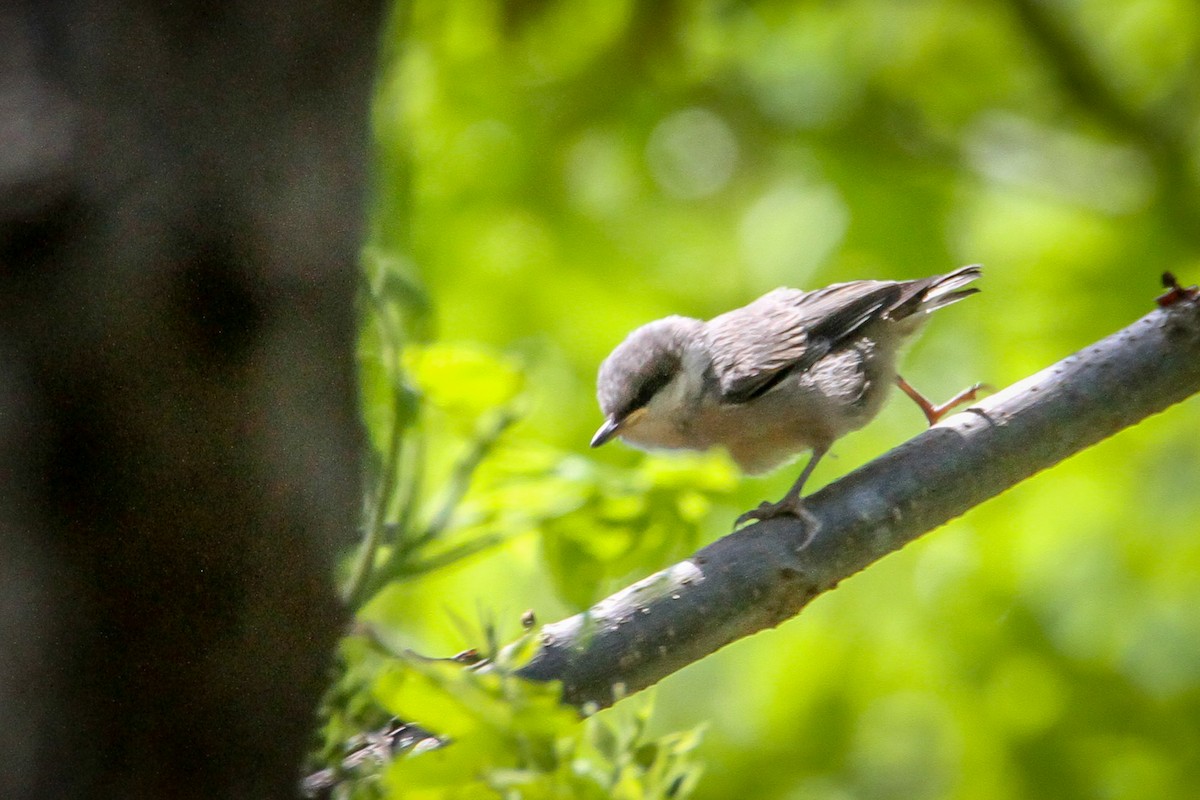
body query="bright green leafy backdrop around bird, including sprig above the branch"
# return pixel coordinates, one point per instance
(553, 175)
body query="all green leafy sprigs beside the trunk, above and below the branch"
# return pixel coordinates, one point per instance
(446, 484)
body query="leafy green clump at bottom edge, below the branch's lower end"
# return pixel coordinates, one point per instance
(497, 736)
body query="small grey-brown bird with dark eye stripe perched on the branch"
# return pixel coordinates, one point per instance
(790, 372)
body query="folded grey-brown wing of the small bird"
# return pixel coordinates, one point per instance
(758, 346)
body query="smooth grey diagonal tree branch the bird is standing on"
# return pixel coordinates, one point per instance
(766, 574)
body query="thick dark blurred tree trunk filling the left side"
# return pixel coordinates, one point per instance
(181, 214)
